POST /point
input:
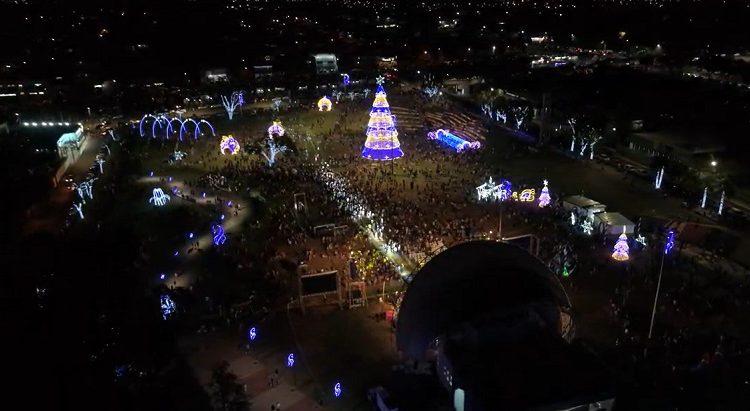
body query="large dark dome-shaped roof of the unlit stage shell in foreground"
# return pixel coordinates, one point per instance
(478, 282)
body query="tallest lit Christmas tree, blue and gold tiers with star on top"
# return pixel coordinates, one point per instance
(382, 138)
